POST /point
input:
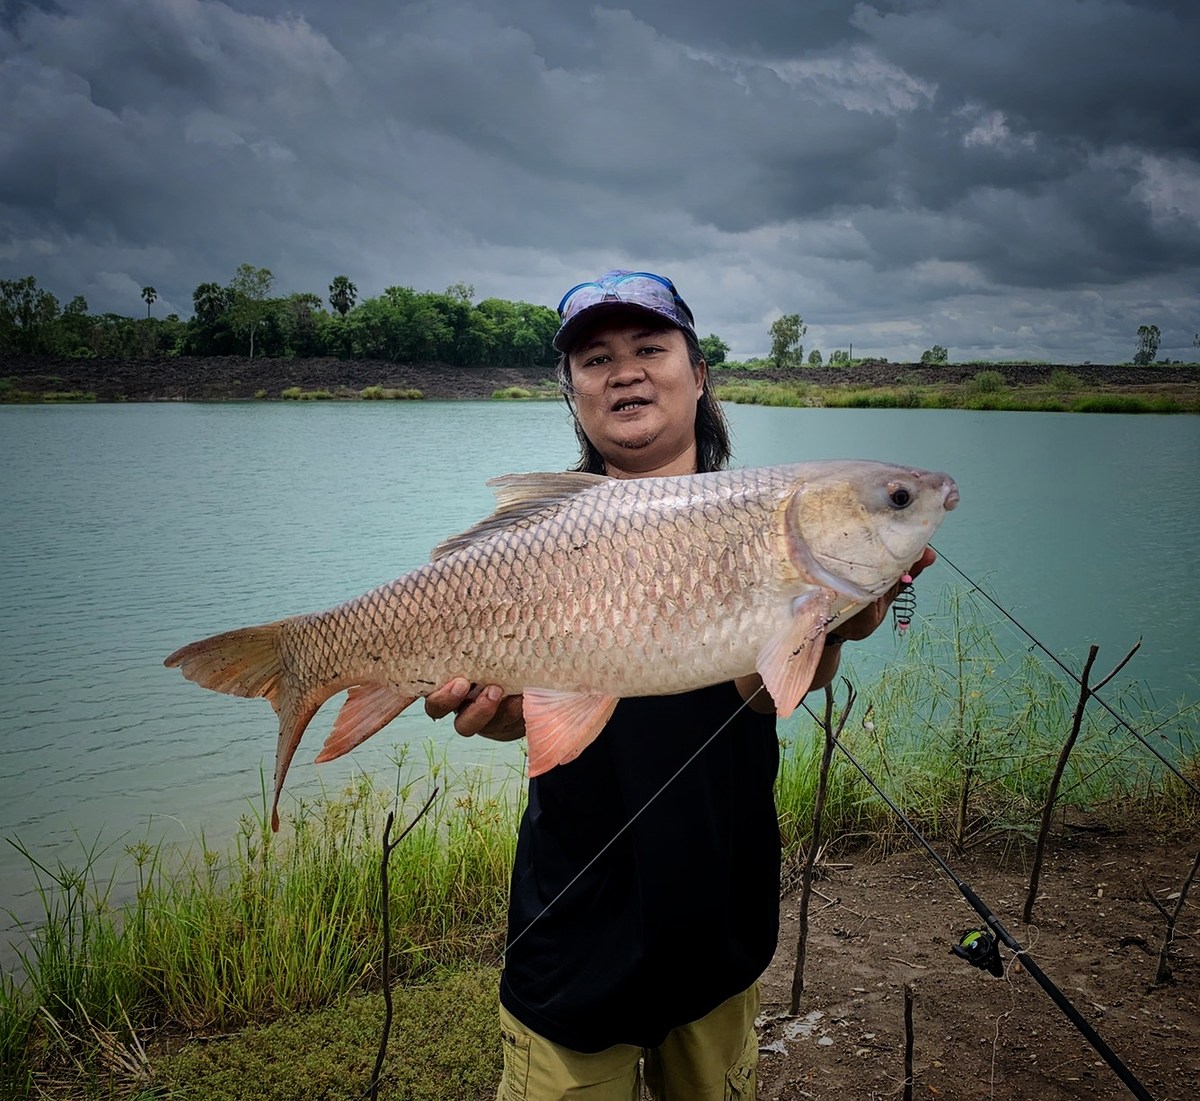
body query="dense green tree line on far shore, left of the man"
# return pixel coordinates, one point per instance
(248, 317)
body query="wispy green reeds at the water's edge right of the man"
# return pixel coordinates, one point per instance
(963, 735)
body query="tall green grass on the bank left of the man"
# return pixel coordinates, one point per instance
(278, 924)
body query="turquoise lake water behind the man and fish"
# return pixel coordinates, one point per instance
(129, 531)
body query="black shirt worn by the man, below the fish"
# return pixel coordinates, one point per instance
(681, 911)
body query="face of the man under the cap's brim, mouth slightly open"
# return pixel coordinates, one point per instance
(635, 393)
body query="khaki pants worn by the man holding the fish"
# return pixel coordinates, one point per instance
(712, 1060)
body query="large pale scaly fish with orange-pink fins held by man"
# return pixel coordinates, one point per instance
(583, 589)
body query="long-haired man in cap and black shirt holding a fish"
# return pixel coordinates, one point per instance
(645, 900)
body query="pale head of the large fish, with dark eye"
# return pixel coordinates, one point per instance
(856, 527)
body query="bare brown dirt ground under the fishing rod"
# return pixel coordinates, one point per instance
(877, 926)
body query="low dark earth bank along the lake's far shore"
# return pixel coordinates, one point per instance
(233, 378)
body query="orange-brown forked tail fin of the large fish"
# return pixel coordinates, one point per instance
(249, 663)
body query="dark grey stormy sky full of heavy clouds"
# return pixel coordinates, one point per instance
(1009, 181)
